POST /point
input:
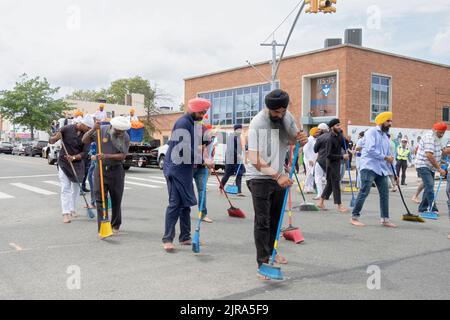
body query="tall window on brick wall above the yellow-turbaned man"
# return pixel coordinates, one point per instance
(381, 96)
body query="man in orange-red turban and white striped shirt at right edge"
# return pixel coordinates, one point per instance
(431, 149)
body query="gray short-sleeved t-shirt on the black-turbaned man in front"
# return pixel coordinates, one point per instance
(271, 140)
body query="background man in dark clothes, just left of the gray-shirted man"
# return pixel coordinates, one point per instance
(234, 160)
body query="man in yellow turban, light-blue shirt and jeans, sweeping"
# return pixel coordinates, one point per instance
(375, 166)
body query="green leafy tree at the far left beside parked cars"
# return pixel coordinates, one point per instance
(31, 104)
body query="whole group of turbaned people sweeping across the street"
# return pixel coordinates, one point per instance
(260, 155)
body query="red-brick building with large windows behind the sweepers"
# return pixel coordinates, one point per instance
(347, 81)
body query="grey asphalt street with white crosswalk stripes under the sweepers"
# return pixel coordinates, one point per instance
(38, 253)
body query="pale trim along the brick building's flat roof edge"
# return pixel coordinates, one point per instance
(323, 50)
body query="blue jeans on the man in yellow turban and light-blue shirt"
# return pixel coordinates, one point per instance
(367, 178)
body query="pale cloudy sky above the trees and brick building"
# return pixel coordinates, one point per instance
(87, 44)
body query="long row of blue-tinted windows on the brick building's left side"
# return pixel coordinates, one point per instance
(236, 106)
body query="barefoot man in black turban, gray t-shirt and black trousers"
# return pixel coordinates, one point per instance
(270, 133)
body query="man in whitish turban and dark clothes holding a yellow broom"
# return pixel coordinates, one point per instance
(115, 142)
